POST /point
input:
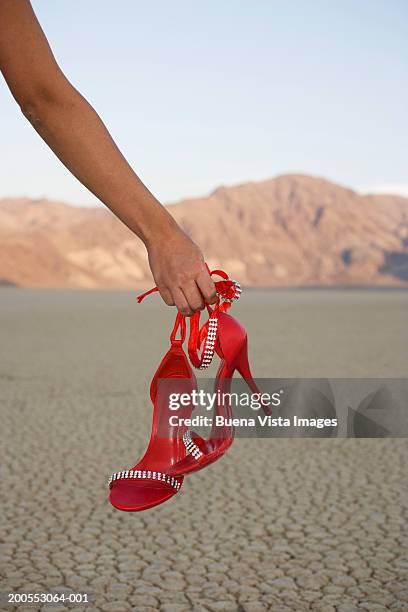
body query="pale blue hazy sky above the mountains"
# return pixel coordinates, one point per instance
(201, 94)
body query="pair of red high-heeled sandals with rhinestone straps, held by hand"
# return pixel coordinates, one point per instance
(174, 450)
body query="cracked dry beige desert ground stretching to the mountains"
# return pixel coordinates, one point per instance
(282, 524)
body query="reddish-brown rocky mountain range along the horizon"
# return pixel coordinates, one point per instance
(292, 230)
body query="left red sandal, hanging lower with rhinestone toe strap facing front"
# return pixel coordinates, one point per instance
(150, 482)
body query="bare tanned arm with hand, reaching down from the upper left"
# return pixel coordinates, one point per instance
(76, 134)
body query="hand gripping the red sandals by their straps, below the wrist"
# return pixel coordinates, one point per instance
(179, 271)
